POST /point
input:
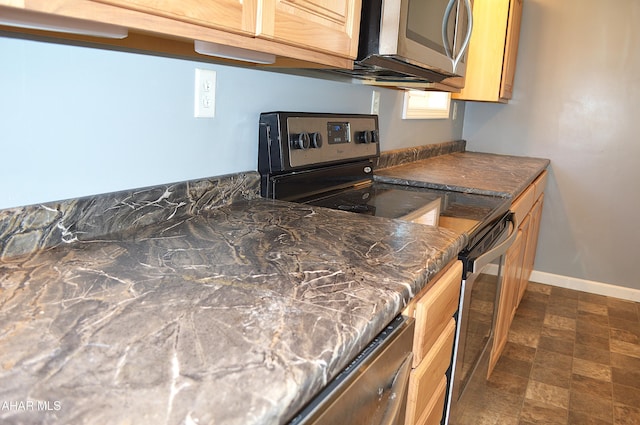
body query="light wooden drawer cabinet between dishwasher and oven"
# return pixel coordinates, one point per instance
(433, 310)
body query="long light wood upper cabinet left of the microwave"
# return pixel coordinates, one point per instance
(312, 33)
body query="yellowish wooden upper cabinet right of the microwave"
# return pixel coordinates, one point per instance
(493, 49)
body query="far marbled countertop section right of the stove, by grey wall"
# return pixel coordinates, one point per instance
(471, 172)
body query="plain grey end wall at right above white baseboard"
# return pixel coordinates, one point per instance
(575, 102)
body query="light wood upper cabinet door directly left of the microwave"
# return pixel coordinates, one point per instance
(324, 25)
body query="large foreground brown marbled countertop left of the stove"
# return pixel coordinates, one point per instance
(236, 315)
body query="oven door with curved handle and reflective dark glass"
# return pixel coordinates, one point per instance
(481, 287)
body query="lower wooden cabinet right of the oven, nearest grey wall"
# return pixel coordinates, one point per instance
(518, 262)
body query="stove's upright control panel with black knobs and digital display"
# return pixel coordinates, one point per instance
(290, 141)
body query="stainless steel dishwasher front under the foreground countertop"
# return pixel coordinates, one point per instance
(372, 390)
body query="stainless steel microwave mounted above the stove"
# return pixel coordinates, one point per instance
(419, 43)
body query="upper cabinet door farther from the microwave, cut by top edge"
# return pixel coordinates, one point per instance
(229, 15)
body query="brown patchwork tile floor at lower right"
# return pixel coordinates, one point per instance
(571, 358)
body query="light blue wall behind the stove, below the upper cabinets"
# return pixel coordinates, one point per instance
(77, 121)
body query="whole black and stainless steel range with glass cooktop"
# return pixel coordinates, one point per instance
(328, 159)
